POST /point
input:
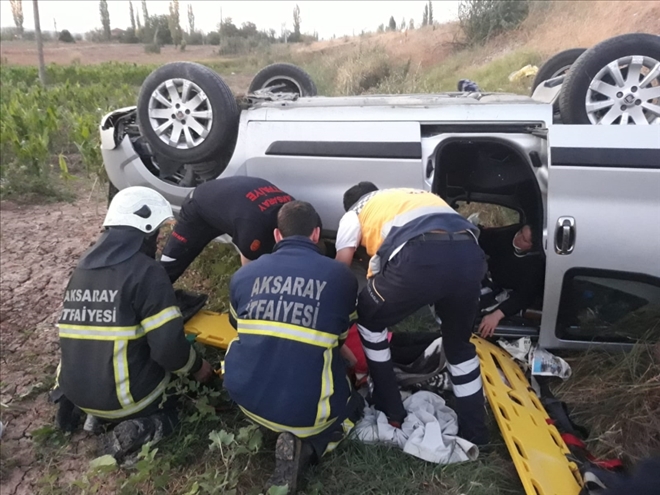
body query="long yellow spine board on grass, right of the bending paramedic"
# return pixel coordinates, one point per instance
(537, 449)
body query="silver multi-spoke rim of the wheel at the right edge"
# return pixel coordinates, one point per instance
(625, 91)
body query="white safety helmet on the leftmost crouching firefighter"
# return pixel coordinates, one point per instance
(138, 207)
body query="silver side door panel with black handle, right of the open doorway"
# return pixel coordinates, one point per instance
(615, 207)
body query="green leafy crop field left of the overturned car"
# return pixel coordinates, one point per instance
(40, 126)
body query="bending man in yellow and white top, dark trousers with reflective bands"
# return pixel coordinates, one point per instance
(422, 253)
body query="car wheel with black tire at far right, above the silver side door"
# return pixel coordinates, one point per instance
(606, 83)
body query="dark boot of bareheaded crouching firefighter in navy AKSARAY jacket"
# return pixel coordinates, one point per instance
(291, 457)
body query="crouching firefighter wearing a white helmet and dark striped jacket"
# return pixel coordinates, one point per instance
(121, 332)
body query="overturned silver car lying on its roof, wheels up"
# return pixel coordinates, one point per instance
(591, 192)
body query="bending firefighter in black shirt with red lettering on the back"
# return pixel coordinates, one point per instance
(245, 208)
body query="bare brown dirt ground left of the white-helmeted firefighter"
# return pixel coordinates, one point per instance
(39, 247)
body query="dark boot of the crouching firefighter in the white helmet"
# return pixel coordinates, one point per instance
(129, 436)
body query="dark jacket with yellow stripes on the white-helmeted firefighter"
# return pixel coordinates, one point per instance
(121, 334)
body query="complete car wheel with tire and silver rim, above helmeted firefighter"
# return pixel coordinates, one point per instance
(204, 120)
